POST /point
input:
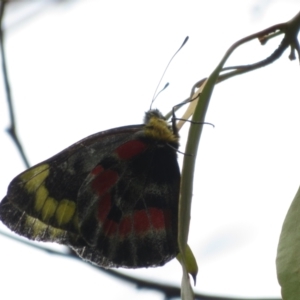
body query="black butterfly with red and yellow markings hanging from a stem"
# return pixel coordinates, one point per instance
(112, 197)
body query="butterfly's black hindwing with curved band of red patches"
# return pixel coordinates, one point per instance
(126, 207)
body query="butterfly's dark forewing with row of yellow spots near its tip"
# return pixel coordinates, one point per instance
(41, 203)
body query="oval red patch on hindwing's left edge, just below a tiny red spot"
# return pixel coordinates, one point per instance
(104, 181)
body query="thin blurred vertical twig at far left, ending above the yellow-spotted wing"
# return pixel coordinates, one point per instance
(12, 129)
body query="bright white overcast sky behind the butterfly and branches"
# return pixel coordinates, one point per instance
(85, 66)
